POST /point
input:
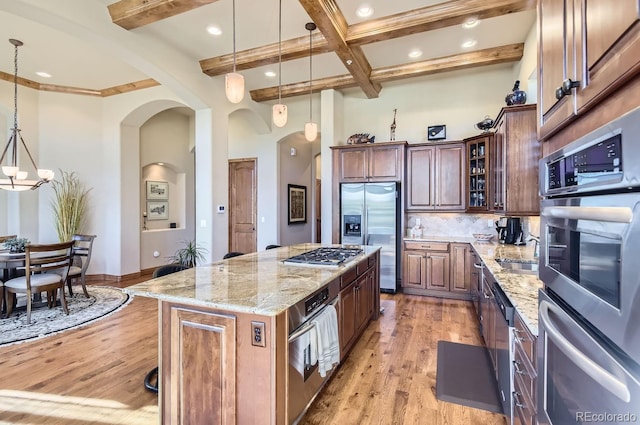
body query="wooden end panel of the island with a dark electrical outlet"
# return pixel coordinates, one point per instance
(211, 373)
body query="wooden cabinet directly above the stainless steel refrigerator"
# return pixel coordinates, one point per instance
(375, 162)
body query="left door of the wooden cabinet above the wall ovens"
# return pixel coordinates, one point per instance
(557, 63)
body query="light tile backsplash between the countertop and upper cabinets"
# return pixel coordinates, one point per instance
(460, 224)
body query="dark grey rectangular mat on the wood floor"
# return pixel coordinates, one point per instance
(465, 376)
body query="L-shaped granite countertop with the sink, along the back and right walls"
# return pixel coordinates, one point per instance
(521, 289)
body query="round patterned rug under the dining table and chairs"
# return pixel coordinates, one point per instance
(102, 302)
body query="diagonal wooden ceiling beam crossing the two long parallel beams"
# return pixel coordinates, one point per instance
(332, 24)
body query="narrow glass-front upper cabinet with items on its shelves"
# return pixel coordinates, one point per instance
(478, 172)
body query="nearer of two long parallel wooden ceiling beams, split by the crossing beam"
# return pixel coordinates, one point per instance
(387, 28)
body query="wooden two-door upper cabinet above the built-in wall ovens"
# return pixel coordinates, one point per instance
(588, 49)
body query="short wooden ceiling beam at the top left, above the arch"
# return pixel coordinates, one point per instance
(131, 14)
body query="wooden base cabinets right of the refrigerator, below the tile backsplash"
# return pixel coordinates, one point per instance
(436, 268)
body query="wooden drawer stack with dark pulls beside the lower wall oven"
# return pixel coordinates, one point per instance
(524, 373)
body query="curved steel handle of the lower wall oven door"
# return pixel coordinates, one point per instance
(588, 366)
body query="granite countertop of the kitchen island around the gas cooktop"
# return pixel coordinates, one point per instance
(257, 283)
